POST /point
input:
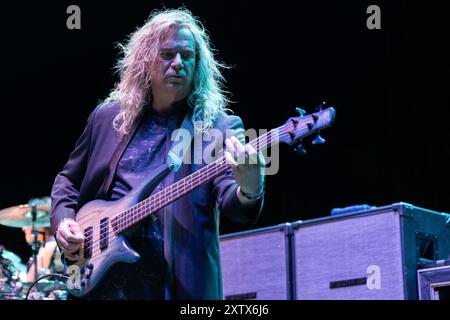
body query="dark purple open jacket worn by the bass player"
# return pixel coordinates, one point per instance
(191, 223)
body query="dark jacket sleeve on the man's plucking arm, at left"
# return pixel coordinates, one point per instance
(66, 187)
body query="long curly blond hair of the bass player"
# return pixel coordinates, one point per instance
(140, 52)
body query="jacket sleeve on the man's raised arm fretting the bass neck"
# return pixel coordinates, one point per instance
(225, 186)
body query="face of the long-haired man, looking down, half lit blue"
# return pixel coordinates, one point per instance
(175, 65)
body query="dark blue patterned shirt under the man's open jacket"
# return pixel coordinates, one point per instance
(146, 151)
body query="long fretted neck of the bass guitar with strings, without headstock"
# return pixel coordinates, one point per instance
(180, 188)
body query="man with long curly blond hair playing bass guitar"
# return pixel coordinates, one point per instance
(169, 79)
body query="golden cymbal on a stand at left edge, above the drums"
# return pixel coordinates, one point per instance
(21, 216)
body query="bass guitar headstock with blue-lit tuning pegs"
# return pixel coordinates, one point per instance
(296, 128)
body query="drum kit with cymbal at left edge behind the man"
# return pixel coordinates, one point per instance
(13, 273)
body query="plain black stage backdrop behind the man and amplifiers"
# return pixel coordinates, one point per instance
(390, 89)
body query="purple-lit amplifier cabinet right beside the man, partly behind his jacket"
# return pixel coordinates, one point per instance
(256, 264)
